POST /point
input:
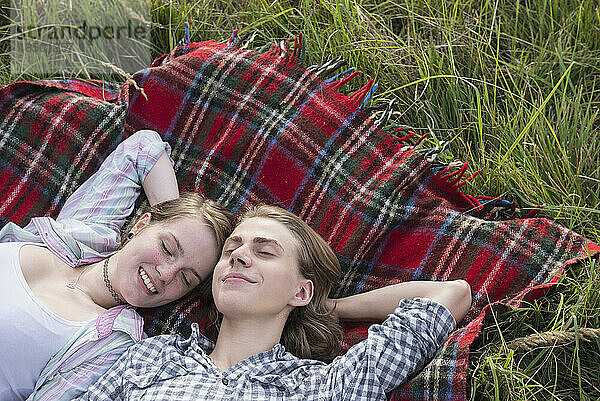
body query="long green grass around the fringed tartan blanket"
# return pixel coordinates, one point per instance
(514, 87)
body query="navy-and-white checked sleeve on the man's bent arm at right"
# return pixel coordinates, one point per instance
(392, 352)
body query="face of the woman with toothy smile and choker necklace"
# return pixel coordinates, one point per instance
(164, 261)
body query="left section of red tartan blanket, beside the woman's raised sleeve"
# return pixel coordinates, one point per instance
(51, 141)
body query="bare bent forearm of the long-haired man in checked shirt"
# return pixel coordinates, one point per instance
(376, 305)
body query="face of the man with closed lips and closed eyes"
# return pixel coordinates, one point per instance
(257, 274)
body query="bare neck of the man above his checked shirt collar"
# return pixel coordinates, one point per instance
(239, 339)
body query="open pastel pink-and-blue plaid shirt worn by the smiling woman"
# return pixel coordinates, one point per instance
(87, 230)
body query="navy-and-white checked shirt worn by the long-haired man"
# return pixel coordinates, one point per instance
(171, 368)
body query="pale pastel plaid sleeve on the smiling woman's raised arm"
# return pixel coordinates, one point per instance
(89, 224)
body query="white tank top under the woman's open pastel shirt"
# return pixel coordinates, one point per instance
(30, 333)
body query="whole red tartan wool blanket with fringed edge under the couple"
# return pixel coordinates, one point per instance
(248, 126)
